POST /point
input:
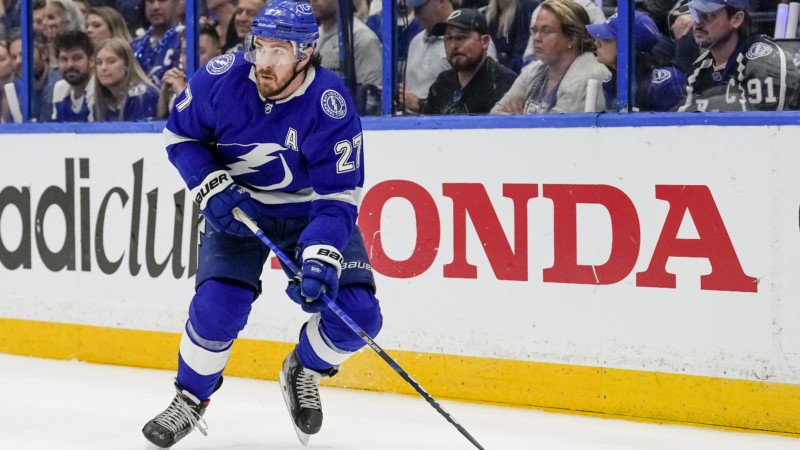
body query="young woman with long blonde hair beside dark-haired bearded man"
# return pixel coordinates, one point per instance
(122, 91)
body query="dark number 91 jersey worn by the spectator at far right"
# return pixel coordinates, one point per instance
(759, 76)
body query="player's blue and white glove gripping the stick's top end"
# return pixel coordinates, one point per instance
(217, 195)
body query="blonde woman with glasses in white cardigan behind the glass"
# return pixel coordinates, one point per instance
(556, 83)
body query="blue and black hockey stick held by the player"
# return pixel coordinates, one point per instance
(242, 217)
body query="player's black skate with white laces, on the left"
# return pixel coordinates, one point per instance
(184, 414)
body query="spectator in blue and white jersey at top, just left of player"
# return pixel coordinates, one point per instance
(158, 50)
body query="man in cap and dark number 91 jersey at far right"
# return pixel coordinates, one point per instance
(737, 71)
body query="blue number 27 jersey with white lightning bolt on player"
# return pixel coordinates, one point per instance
(298, 157)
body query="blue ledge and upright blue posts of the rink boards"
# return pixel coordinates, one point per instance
(622, 118)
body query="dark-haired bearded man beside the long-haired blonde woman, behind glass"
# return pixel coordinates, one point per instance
(72, 101)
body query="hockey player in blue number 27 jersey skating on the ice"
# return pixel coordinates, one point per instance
(272, 133)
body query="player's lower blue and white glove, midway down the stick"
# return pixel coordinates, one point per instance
(322, 265)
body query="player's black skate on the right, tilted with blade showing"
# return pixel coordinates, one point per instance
(300, 387)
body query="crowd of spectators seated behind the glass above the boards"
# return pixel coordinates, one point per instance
(125, 60)
